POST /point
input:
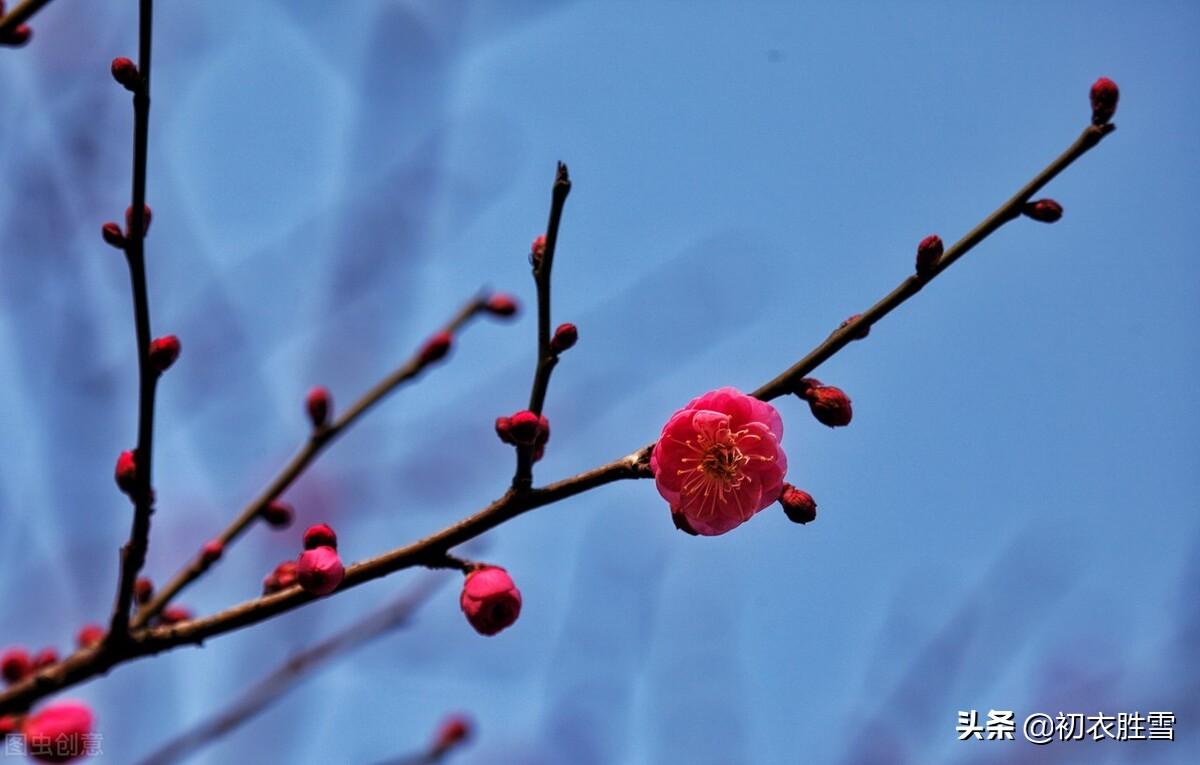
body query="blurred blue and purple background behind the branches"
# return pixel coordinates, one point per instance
(1010, 523)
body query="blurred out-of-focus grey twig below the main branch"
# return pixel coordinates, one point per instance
(277, 685)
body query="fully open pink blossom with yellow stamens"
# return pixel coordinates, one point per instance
(719, 461)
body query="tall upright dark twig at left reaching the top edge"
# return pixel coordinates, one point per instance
(134, 555)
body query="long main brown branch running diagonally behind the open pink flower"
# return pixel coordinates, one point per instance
(91, 662)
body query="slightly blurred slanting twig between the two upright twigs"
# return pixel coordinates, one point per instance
(317, 442)
